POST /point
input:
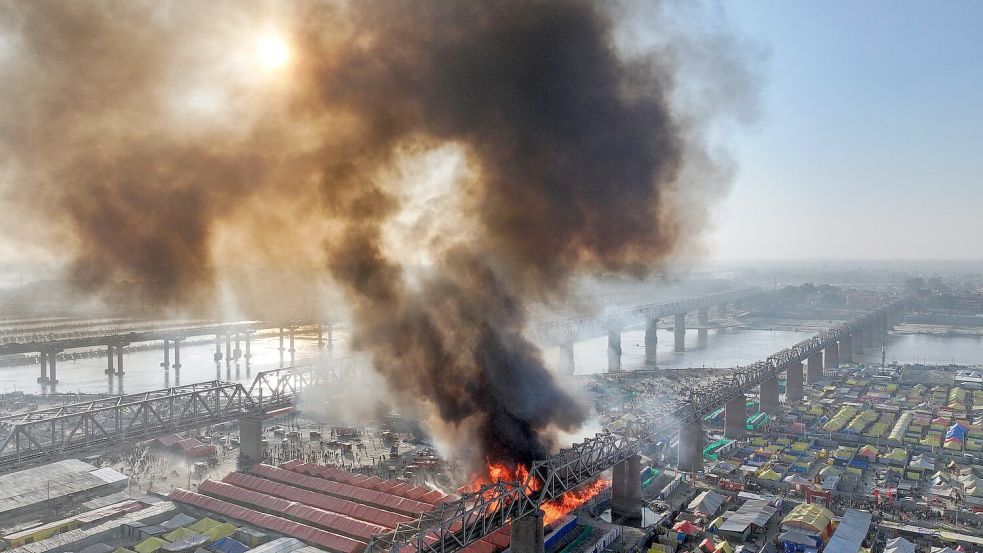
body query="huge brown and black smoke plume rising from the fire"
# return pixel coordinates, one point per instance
(447, 164)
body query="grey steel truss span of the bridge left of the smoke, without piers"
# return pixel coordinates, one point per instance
(46, 435)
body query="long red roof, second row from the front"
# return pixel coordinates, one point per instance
(318, 518)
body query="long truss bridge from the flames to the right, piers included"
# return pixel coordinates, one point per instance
(457, 524)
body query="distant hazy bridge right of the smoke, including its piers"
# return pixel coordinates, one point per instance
(565, 333)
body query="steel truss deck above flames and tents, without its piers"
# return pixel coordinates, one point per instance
(457, 524)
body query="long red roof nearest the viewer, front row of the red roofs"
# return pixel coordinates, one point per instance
(307, 534)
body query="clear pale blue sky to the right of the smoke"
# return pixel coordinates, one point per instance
(871, 144)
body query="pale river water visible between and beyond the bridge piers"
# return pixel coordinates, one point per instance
(716, 349)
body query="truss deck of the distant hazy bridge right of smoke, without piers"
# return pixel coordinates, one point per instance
(571, 329)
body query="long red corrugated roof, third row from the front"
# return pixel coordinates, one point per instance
(345, 507)
